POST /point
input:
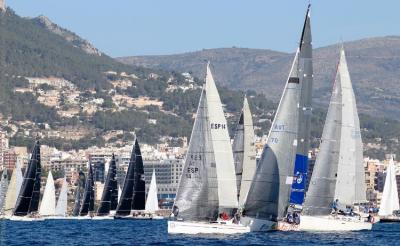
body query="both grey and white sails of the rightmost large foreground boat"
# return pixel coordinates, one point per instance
(338, 171)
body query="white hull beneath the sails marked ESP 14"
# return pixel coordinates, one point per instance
(181, 227)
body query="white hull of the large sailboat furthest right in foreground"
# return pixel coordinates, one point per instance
(326, 223)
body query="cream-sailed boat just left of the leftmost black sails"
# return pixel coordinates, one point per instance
(14, 188)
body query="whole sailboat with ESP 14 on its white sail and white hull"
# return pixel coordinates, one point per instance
(207, 192)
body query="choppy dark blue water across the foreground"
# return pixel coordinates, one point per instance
(155, 233)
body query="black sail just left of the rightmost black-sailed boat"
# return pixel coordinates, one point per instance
(109, 199)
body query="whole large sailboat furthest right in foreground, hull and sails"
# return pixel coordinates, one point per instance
(338, 172)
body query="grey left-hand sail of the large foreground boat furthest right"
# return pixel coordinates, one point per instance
(321, 191)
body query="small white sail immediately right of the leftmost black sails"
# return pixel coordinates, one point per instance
(48, 205)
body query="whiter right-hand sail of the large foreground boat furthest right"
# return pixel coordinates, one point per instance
(350, 183)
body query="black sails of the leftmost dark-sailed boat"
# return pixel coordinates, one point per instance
(28, 198)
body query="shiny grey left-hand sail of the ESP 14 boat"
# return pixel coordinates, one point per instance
(197, 196)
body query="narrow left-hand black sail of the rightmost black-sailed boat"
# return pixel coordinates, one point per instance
(125, 202)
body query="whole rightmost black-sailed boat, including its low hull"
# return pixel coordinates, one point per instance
(133, 191)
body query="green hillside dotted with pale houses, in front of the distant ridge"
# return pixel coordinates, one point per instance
(32, 48)
